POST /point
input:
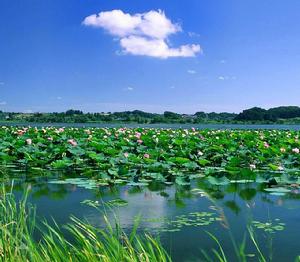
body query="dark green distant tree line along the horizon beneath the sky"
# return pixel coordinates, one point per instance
(283, 114)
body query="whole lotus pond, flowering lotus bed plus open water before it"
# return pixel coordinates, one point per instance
(194, 189)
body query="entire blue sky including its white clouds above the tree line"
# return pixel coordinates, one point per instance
(157, 55)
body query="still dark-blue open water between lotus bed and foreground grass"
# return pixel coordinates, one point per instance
(181, 215)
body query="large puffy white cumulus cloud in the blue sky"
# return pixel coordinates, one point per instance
(142, 34)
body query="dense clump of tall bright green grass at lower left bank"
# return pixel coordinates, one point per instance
(85, 242)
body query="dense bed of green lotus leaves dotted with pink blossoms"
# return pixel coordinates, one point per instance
(139, 155)
